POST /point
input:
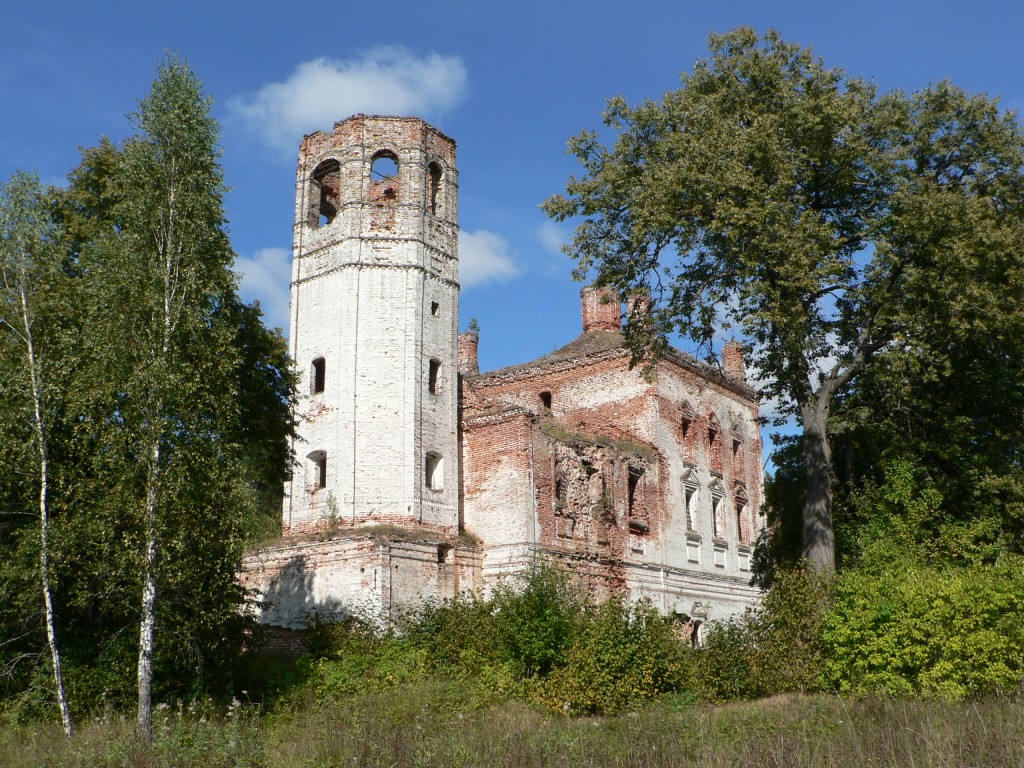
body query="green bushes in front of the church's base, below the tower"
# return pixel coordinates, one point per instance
(537, 638)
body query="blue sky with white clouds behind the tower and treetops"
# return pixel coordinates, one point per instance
(510, 82)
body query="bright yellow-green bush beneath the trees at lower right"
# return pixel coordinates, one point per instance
(925, 630)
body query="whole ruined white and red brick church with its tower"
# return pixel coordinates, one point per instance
(419, 477)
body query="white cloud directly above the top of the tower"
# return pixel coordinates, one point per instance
(387, 80)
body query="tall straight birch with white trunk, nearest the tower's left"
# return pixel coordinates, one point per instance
(170, 276)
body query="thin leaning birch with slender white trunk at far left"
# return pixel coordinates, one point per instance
(30, 286)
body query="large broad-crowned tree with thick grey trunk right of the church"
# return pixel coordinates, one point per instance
(787, 201)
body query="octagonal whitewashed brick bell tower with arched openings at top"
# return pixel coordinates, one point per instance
(374, 322)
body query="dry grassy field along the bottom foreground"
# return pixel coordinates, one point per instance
(450, 724)
